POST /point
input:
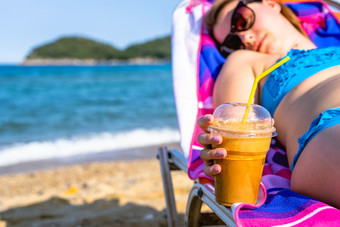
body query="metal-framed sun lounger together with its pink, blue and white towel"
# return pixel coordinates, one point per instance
(196, 63)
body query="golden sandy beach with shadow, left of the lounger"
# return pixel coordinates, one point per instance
(113, 190)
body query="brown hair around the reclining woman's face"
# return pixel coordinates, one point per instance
(210, 18)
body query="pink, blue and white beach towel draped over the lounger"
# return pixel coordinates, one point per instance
(194, 53)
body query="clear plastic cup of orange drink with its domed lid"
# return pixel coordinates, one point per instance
(247, 145)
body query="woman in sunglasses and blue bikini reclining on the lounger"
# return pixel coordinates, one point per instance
(302, 95)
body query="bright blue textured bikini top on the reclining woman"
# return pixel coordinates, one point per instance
(302, 65)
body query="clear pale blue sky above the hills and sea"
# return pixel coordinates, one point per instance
(26, 24)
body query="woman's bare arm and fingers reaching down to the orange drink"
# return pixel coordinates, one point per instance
(234, 84)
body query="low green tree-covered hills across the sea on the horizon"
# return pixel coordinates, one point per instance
(83, 48)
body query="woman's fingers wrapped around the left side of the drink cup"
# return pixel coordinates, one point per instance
(206, 140)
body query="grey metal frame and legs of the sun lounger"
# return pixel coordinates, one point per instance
(174, 160)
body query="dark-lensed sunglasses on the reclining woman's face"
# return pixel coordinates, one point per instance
(242, 19)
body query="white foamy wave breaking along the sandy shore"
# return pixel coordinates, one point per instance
(86, 144)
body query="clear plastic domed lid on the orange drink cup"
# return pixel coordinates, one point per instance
(229, 116)
